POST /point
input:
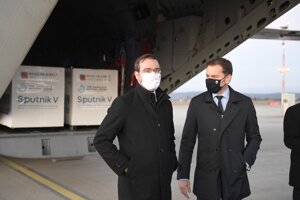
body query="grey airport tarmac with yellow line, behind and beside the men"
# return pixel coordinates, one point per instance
(90, 178)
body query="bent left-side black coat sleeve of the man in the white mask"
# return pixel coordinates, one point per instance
(110, 127)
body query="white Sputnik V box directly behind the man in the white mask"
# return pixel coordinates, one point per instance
(89, 93)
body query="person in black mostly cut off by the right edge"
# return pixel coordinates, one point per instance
(291, 128)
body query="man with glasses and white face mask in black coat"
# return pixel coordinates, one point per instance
(142, 120)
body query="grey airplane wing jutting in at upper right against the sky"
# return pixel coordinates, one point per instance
(277, 34)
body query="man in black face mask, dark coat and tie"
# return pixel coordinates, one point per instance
(221, 119)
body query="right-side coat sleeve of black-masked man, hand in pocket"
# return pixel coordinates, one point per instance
(253, 136)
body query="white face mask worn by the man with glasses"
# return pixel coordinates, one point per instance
(150, 81)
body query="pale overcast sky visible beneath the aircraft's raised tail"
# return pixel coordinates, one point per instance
(256, 63)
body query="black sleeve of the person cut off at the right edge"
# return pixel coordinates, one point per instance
(291, 127)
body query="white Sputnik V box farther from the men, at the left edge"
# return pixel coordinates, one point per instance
(35, 98)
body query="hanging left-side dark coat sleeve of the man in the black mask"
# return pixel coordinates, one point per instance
(187, 144)
